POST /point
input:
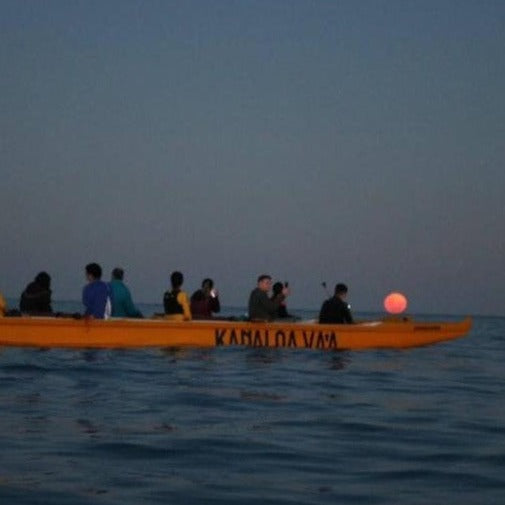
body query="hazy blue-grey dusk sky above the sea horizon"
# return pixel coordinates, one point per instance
(353, 141)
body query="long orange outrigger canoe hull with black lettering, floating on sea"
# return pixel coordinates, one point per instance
(128, 333)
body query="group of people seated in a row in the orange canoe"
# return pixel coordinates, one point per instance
(102, 300)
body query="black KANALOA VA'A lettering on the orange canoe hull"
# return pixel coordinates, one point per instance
(279, 338)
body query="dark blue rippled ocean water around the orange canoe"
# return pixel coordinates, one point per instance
(263, 426)
